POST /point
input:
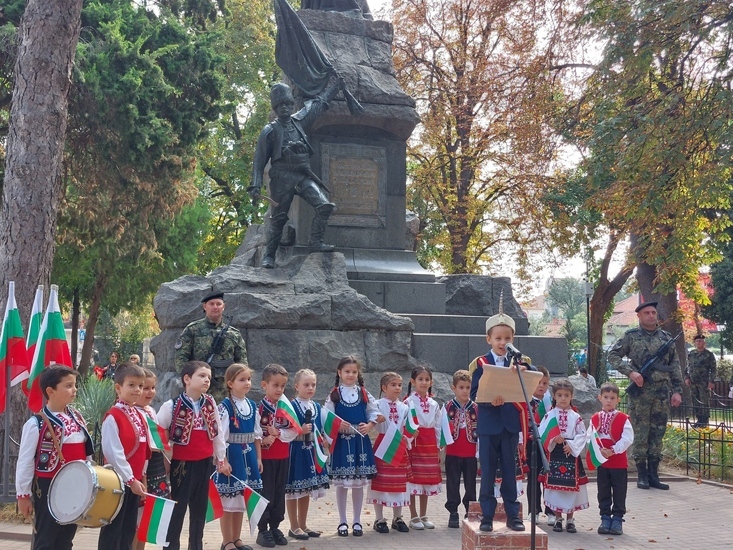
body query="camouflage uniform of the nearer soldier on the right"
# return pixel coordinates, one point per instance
(650, 409)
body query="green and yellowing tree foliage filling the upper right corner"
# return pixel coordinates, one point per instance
(653, 123)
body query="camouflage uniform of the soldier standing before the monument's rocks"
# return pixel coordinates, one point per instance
(194, 344)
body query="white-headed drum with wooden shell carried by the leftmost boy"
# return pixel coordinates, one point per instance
(85, 494)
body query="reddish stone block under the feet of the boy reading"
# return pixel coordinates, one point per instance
(472, 538)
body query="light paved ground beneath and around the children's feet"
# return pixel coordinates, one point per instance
(688, 516)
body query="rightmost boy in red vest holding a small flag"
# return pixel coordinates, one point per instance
(616, 436)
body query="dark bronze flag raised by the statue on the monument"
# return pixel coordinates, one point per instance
(300, 58)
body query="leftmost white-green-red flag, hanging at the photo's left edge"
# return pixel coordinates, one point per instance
(13, 352)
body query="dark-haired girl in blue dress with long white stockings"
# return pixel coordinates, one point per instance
(352, 457)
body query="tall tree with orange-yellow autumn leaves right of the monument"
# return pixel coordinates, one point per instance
(479, 71)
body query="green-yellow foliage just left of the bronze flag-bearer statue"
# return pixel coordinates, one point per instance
(247, 45)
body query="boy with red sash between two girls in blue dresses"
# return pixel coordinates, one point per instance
(277, 433)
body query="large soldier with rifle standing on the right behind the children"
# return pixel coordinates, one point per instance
(649, 410)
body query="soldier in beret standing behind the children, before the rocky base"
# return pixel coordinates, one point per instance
(196, 340)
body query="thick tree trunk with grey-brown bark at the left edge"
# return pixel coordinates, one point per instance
(32, 189)
